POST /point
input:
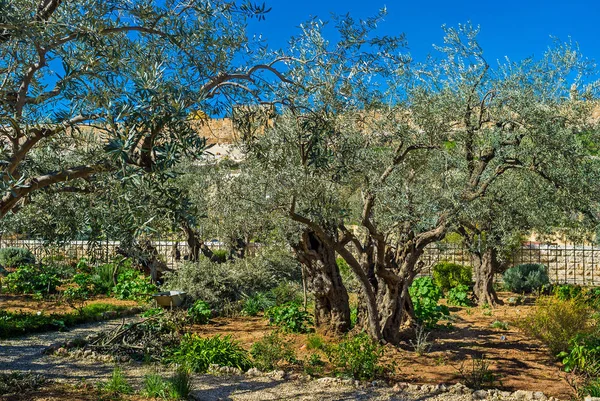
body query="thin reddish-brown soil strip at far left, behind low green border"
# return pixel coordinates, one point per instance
(25, 303)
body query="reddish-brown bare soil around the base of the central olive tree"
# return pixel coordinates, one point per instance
(517, 361)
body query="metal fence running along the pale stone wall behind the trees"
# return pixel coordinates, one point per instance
(567, 263)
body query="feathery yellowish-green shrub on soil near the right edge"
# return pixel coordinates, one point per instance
(555, 322)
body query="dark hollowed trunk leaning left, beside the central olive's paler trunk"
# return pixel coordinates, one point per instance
(332, 308)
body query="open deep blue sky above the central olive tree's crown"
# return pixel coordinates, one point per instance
(517, 29)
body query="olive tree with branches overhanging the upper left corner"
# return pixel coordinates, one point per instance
(90, 87)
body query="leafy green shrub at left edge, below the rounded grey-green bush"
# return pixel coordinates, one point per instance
(32, 279)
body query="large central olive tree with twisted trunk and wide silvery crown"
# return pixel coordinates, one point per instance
(379, 157)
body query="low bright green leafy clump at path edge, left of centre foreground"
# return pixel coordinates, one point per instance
(199, 353)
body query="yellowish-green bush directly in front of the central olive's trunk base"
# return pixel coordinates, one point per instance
(357, 356)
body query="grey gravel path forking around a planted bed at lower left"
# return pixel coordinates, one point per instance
(26, 354)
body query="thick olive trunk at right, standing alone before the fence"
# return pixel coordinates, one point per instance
(485, 265)
